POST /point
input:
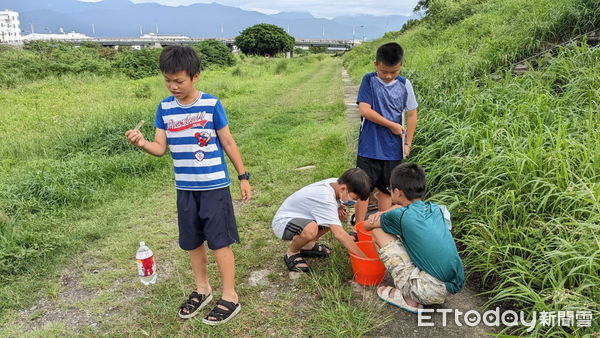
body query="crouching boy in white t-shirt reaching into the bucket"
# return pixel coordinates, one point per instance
(312, 211)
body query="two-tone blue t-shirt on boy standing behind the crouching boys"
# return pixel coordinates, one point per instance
(389, 100)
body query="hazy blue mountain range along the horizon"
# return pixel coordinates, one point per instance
(122, 18)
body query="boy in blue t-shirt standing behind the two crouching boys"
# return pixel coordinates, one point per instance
(384, 96)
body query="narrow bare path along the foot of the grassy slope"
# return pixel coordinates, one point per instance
(403, 324)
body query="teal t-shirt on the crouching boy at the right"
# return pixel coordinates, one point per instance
(430, 246)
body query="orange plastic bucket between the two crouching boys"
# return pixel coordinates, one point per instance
(367, 271)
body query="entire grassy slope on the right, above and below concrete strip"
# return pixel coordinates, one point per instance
(516, 160)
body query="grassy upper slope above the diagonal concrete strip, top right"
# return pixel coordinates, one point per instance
(438, 59)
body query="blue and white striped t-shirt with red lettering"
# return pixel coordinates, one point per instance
(192, 138)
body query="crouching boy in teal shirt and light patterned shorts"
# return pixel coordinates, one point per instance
(415, 245)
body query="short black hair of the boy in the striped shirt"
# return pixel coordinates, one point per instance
(174, 59)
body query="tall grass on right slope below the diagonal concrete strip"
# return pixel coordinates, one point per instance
(517, 161)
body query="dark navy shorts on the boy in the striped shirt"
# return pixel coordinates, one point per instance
(206, 216)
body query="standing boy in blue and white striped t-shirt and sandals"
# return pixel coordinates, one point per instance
(195, 128)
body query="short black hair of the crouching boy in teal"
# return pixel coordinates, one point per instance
(410, 178)
